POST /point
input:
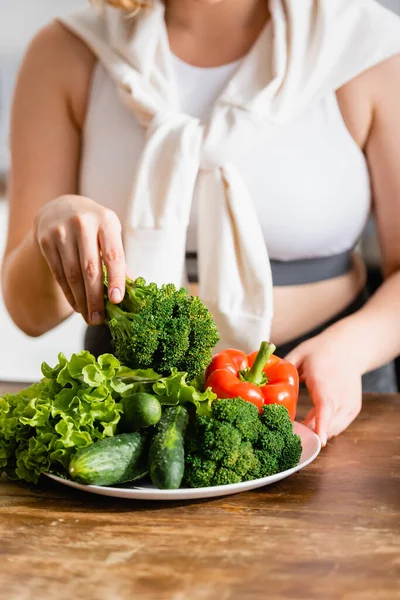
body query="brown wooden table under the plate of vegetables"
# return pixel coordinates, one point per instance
(332, 531)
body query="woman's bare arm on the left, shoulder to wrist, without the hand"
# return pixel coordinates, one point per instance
(45, 142)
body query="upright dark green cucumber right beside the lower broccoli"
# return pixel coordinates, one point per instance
(167, 450)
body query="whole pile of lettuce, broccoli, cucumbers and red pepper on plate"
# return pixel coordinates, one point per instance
(163, 408)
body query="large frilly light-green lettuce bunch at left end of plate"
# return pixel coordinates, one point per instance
(75, 404)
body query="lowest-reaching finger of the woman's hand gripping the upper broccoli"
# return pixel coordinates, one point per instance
(92, 272)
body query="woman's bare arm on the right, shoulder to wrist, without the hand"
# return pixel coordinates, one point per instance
(374, 331)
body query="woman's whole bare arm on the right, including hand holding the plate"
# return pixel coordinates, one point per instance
(332, 363)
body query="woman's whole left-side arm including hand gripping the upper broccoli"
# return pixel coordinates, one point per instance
(52, 258)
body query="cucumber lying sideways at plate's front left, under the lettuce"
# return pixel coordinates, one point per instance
(110, 461)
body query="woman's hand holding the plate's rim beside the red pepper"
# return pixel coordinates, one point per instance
(332, 375)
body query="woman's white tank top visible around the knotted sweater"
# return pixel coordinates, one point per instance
(310, 189)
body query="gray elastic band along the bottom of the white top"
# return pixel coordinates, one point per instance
(295, 272)
